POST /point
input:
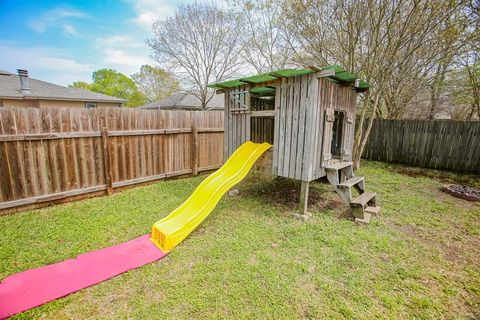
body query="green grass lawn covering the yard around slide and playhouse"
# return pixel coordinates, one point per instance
(251, 259)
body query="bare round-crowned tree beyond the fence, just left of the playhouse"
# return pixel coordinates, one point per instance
(200, 44)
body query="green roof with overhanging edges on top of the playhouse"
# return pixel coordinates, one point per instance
(340, 75)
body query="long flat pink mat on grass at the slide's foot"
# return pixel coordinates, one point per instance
(34, 287)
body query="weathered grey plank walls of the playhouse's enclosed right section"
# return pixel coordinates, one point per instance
(300, 137)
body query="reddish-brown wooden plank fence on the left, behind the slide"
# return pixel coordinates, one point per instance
(54, 153)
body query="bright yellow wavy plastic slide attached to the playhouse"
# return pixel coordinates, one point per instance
(171, 230)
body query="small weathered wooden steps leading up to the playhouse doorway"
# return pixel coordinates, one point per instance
(341, 177)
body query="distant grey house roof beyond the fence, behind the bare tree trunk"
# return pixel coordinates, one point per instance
(185, 101)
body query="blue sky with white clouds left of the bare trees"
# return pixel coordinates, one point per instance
(65, 41)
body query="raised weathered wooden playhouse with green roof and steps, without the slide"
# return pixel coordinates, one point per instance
(309, 117)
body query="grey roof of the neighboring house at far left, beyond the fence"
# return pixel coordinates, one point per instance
(10, 89)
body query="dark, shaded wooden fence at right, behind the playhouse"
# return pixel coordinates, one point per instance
(439, 144)
